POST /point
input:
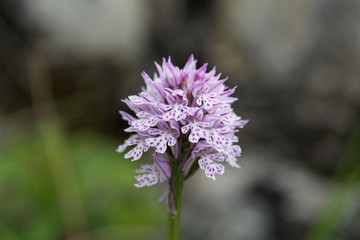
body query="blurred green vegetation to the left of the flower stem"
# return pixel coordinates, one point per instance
(113, 208)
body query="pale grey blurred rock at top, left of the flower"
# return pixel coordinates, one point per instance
(92, 29)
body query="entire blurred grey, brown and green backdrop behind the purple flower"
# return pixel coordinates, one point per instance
(65, 65)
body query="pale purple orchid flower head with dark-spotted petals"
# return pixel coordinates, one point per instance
(186, 116)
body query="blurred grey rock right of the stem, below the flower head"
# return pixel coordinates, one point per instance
(269, 198)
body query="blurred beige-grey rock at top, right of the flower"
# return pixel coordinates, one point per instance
(278, 32)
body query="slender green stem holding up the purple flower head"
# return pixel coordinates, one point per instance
(176, 185)
